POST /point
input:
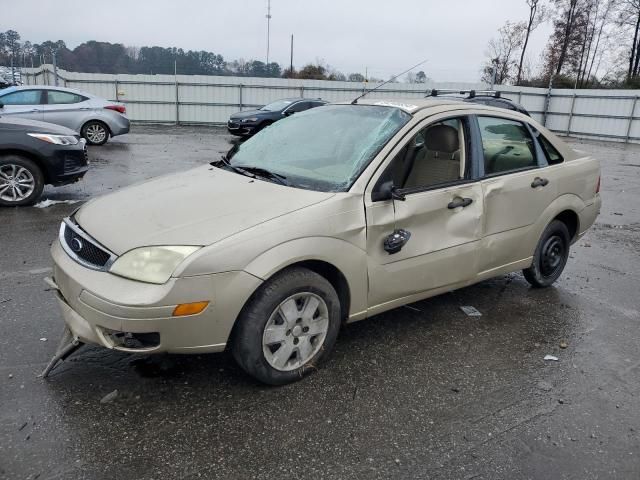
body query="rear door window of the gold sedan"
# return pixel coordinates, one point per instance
(507, 145)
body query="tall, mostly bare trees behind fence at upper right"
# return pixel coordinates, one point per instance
(593, 44)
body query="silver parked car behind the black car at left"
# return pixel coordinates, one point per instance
(95, 118)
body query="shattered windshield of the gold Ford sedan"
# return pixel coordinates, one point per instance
(322, 149)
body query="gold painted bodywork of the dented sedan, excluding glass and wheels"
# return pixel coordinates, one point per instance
(250, 229)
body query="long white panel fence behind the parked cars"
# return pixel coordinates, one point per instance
(192, 99)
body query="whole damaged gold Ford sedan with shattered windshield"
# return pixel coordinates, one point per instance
(330, 216)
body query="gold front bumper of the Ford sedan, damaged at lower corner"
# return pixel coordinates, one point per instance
(99, 307)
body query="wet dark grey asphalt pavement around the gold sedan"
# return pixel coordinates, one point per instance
(423, 391)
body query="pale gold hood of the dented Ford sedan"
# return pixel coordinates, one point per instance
(197, 207)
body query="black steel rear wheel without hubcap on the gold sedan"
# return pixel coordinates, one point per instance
(550, 257)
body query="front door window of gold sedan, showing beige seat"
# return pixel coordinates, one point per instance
(434, 156)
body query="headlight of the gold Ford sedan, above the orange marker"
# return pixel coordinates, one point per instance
(151, 264)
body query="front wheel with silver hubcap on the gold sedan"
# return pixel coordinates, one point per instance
(288, 327)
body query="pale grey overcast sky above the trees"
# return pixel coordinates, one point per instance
(384, 36)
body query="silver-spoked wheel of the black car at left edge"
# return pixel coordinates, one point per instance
(21, 181)
